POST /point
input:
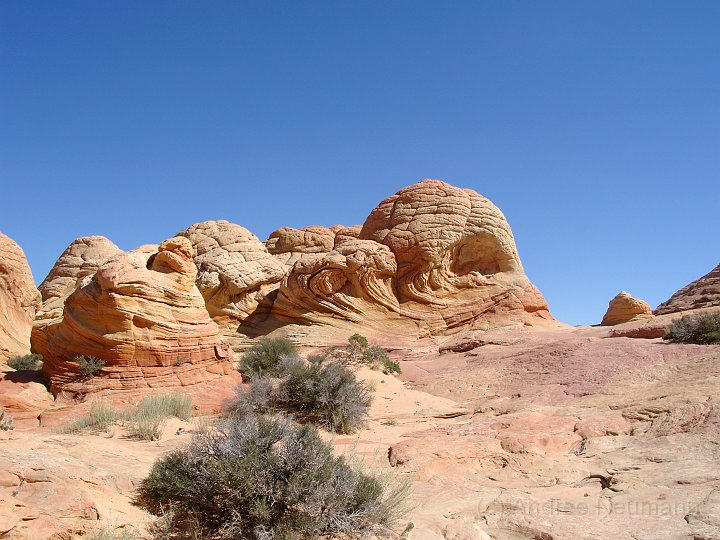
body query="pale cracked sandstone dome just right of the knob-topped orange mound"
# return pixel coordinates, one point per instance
(235, 271)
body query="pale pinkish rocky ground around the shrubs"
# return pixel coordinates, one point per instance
(508, 434)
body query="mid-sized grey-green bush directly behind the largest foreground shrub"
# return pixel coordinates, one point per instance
(322, 392)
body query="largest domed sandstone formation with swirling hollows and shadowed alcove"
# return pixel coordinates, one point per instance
(428, 260)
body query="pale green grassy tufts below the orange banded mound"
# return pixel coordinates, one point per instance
(144, 421)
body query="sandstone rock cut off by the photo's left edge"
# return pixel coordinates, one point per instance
(19, 300)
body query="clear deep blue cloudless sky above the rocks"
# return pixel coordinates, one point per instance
(593, 125)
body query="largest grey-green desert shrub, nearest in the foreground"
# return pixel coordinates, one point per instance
(262, 478)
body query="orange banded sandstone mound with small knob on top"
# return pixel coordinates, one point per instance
(143, 315)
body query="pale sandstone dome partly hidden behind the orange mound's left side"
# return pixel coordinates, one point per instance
(79, 262)
